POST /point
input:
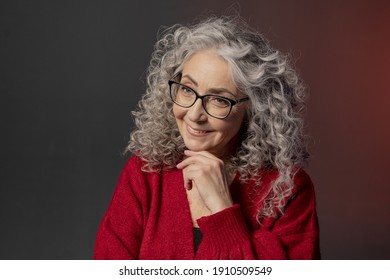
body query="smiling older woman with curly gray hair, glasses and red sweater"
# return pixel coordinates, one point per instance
(217, 154)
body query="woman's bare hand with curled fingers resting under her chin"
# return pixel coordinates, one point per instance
(208, 174)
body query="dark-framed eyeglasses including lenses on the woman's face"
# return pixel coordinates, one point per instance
(217, 106)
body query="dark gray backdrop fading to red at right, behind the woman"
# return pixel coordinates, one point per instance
(71, 72)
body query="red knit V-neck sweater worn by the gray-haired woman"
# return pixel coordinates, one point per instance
(149, 218)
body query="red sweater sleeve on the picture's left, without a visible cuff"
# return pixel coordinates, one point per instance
(120, 233)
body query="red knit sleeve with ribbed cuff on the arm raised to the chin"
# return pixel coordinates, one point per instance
(293, 235)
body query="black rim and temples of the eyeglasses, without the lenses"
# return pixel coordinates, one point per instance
(232, 102)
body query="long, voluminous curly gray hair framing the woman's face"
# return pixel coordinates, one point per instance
(272, 137)
